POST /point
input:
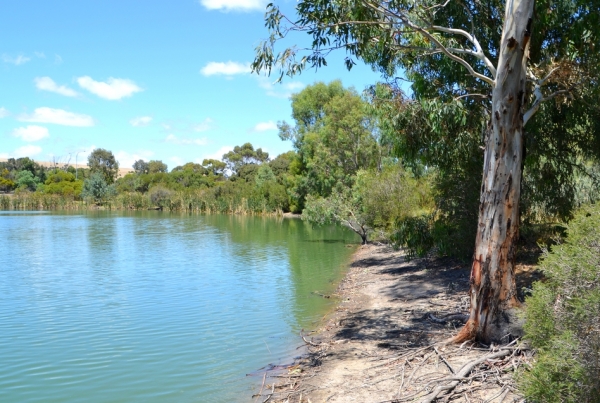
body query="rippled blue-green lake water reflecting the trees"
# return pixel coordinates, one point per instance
(156, 307)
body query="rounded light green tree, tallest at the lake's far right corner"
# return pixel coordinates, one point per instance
(334, 138)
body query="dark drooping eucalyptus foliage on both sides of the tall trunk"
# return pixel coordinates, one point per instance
(442, 124)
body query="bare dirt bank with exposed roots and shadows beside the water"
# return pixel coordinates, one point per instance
(384, 342)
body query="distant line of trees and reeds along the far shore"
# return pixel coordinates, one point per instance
(245, 182)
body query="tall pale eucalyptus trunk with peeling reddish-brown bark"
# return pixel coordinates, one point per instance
(493, 290)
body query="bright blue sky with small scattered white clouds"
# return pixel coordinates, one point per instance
(151, 80)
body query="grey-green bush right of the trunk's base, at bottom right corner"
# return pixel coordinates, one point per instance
(563, 318)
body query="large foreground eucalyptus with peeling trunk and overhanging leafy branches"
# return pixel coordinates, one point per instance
(501, 55)
